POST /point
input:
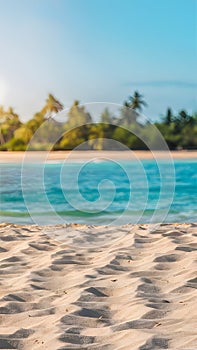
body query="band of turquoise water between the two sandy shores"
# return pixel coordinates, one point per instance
(99, 192)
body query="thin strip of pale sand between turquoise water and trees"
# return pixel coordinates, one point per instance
(18, 156)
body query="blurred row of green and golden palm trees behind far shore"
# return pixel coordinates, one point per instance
(179, 130)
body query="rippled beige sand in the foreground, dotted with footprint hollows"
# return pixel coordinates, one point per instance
(88, 287)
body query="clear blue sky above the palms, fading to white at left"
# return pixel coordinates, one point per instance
(98, 50)
